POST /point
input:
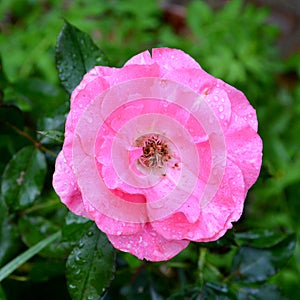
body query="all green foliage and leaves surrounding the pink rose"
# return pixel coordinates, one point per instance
(257, 260)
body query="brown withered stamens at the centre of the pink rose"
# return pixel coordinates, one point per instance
(155, 151)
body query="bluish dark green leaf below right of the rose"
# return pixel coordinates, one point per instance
(252, 265)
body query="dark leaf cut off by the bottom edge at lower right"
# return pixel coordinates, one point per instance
(262, 293)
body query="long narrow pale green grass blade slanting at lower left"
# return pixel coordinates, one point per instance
(25, 256)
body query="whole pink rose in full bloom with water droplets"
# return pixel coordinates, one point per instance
(158, 153)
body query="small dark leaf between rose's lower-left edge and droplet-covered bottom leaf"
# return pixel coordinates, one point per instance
(74, 227)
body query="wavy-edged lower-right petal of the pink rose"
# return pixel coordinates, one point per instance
(215, 218)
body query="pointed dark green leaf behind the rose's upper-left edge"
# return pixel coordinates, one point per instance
(76, 54)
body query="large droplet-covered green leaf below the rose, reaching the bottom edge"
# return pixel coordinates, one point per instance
(90, 266)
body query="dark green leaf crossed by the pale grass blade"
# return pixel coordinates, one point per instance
(34, 229)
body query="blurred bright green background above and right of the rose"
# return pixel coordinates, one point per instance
(243, 43)
